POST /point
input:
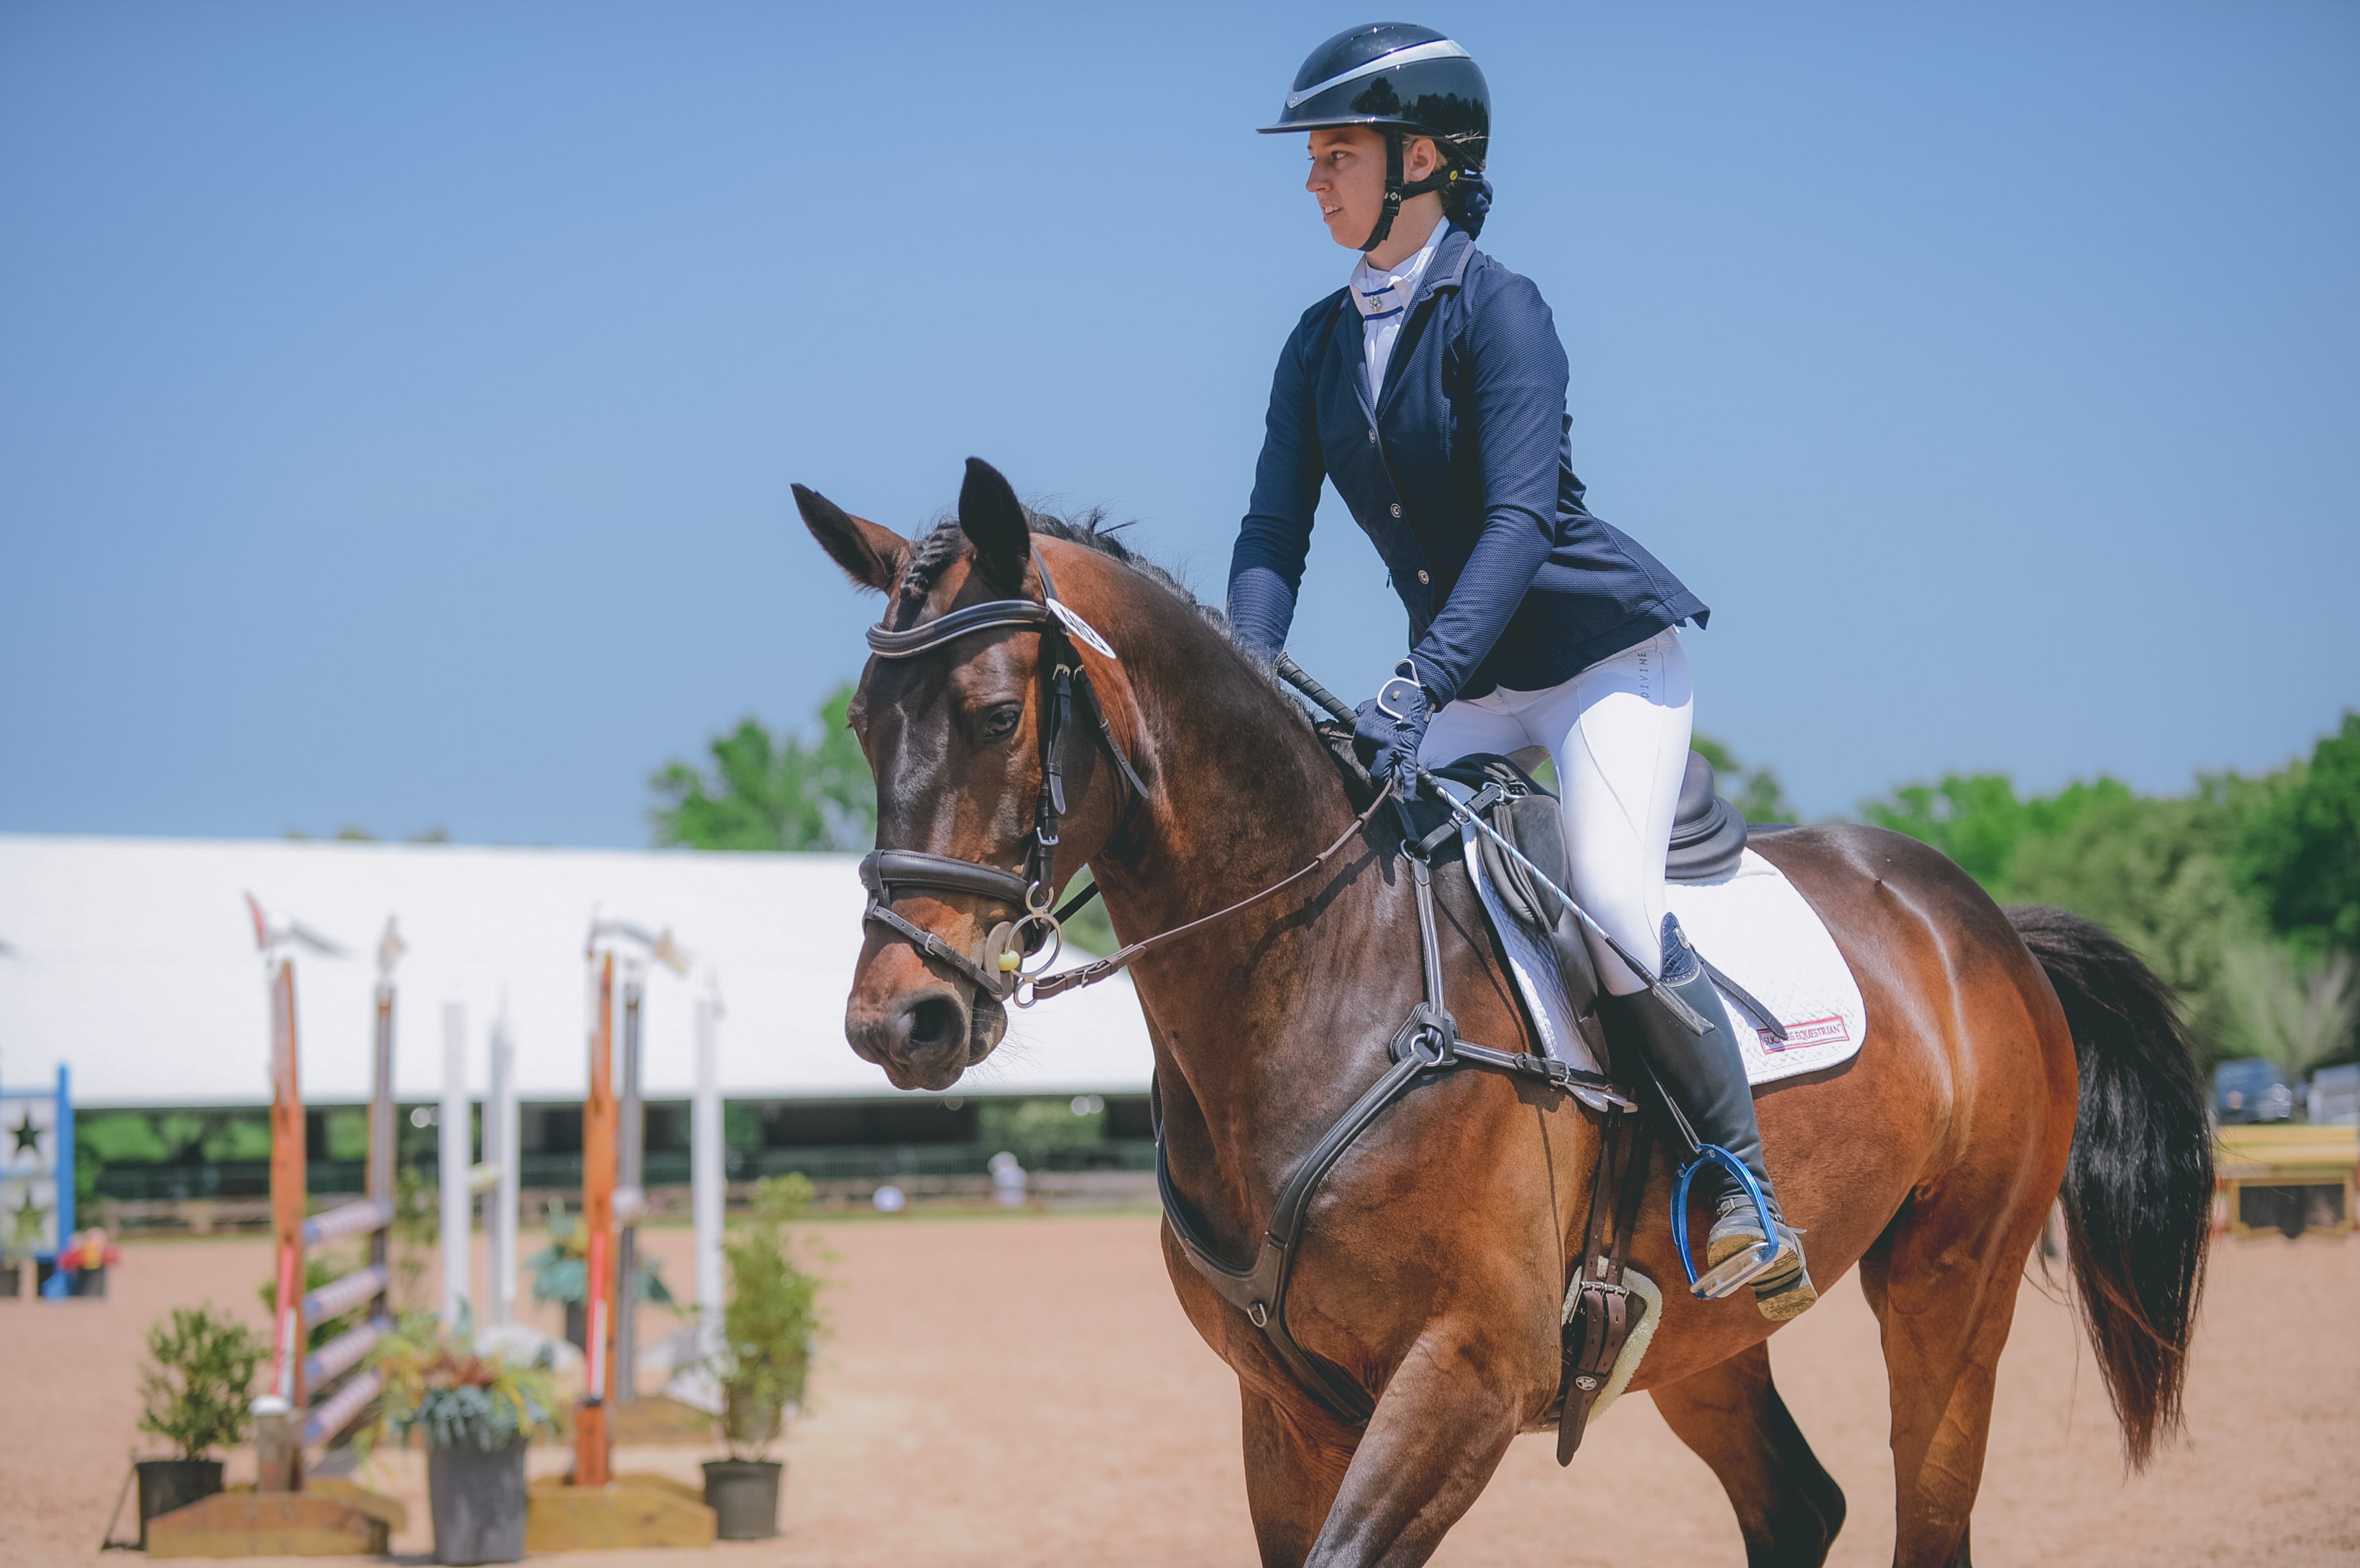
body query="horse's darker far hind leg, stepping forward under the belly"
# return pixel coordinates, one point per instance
(1788, 1506)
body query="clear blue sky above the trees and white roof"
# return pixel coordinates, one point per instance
(398, 404)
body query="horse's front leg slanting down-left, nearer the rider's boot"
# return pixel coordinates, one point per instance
(1436, 1437)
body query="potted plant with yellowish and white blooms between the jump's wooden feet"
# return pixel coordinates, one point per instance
(478, 1414)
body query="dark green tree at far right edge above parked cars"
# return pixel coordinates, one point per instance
(2302, 848)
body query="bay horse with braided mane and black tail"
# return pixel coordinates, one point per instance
(2010, 1060)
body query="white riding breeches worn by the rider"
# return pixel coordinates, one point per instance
(1618, 734)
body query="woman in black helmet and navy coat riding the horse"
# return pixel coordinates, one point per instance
(1431, 393)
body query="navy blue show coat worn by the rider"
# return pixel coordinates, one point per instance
(1460, 470)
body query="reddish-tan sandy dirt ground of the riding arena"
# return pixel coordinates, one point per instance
(1028, 1392)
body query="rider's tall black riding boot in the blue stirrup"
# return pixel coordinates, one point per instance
(1707, 1081)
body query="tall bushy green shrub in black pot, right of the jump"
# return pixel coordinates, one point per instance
(771, 1326)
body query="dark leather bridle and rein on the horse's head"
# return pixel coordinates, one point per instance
(1009, 968)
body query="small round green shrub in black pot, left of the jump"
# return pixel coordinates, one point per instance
(195, 1397)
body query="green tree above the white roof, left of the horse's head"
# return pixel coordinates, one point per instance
(773, 791)
